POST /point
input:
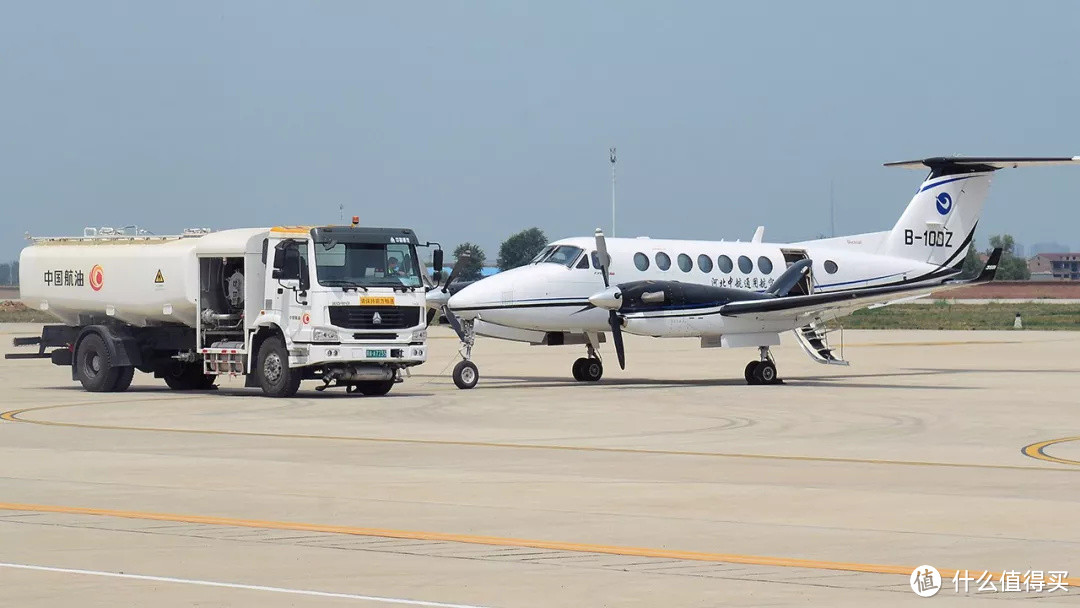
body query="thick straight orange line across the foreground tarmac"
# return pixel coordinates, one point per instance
(495, 542)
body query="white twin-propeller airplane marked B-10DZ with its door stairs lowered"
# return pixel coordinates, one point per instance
(730, 294)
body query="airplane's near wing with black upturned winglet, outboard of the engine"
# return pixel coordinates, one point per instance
(844, 303)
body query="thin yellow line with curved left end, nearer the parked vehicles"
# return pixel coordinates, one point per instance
(15, 416)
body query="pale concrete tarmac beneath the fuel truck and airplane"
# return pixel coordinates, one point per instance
(670, 484)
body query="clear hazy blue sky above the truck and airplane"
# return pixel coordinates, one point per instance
(472, 120)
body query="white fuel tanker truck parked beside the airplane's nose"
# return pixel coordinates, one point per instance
(343, 305)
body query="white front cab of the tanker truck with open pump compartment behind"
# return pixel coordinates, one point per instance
(344, 305)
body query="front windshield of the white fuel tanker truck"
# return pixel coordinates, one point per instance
(367, 265)
